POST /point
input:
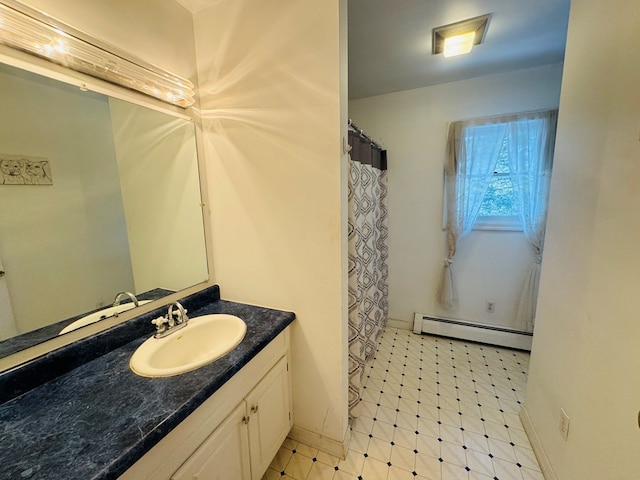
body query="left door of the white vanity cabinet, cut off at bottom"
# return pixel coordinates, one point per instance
(223, 455)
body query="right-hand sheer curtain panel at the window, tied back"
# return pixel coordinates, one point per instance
(530, 144)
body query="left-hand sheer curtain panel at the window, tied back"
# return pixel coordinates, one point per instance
(472, 154)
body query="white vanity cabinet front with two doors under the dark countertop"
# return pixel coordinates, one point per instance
(236, 433)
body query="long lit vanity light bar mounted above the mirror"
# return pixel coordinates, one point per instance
(34, 32)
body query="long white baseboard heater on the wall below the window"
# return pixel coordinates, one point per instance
(477, 332)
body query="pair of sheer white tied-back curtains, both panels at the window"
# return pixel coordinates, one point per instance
(472, 154)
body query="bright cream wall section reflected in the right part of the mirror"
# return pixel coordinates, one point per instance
(158, 171)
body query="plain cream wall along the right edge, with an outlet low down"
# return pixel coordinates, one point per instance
(585, 351)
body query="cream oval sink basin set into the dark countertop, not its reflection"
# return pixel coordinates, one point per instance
(202, 341)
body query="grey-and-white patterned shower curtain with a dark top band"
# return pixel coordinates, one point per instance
(368, 251)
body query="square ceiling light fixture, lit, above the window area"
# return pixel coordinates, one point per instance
(460, 37)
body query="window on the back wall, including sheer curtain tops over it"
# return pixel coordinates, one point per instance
(483, 153)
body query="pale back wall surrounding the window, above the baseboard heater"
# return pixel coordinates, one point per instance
(412, 126)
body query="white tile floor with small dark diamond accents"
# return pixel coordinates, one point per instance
(433, 408)
